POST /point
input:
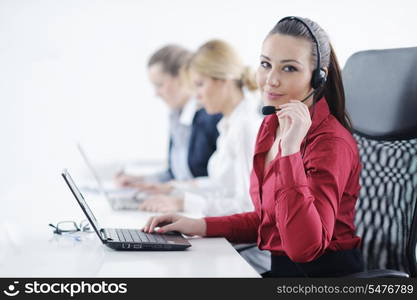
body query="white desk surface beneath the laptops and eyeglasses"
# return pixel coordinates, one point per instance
(28, 248)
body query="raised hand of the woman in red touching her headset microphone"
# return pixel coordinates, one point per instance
(295, 121)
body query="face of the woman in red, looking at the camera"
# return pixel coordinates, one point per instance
(285, 69)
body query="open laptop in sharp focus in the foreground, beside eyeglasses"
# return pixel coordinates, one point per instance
(127, 239)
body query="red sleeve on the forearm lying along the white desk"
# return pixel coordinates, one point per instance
(237, 228)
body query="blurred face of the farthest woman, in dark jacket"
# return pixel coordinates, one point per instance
(167, 87)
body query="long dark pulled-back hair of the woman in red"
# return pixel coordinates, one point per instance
(333, 90)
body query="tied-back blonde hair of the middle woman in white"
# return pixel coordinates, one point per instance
(217, 59)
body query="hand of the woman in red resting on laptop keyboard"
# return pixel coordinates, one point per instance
(173, 222)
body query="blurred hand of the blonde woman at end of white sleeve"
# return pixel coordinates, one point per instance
(163, 203)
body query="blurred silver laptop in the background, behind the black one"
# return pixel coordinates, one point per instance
(118, 198)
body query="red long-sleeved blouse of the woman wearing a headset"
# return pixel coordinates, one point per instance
(305, 202)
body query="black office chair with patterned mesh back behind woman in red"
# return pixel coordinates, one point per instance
(381, 98)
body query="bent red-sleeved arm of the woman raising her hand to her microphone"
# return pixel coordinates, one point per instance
(307, 204)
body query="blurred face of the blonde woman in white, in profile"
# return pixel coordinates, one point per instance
(209, 91)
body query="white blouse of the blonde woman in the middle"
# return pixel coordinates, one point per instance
(226, 188)
